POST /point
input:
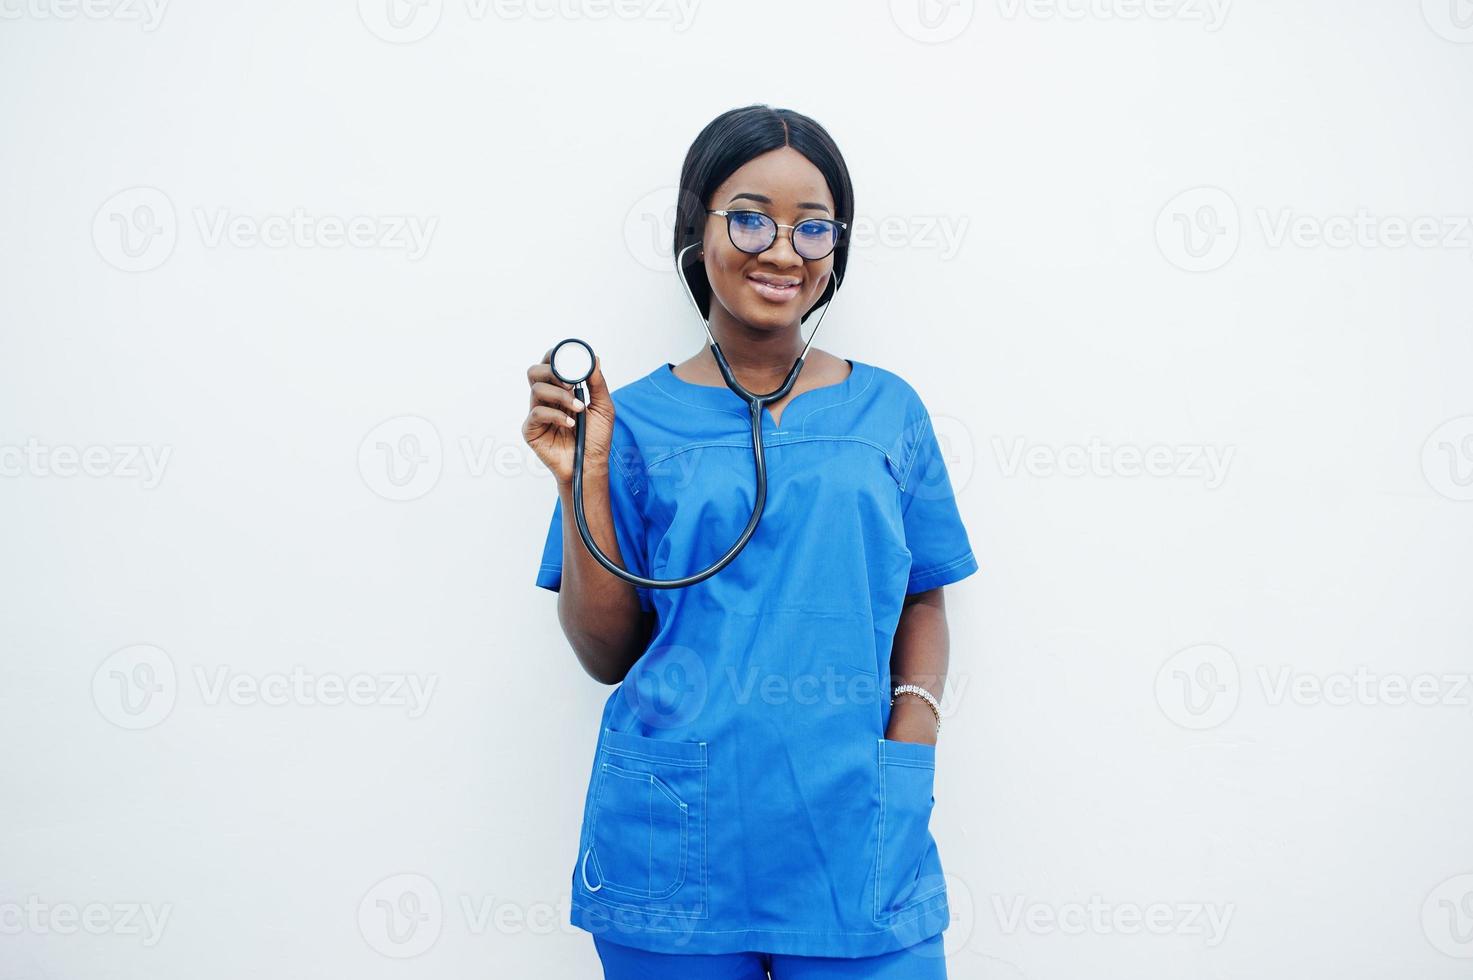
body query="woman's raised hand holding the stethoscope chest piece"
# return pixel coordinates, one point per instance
(549, 427)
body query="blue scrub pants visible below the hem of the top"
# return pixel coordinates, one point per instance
(923, 962)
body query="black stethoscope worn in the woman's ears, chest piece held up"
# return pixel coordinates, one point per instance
(572, 363)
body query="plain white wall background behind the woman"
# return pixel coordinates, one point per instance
(1131, 226)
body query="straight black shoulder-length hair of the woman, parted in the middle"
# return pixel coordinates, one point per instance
(724, 147)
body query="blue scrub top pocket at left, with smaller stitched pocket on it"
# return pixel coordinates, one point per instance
(646, 841)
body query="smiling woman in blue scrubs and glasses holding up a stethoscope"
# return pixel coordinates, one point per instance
(759, 797)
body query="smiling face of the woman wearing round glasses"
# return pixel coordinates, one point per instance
(773, 290)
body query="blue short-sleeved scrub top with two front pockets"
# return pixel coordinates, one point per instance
(743, 795)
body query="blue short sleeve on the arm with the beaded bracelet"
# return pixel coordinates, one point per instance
(941, 550)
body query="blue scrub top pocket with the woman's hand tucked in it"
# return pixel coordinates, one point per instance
(908, 869)
